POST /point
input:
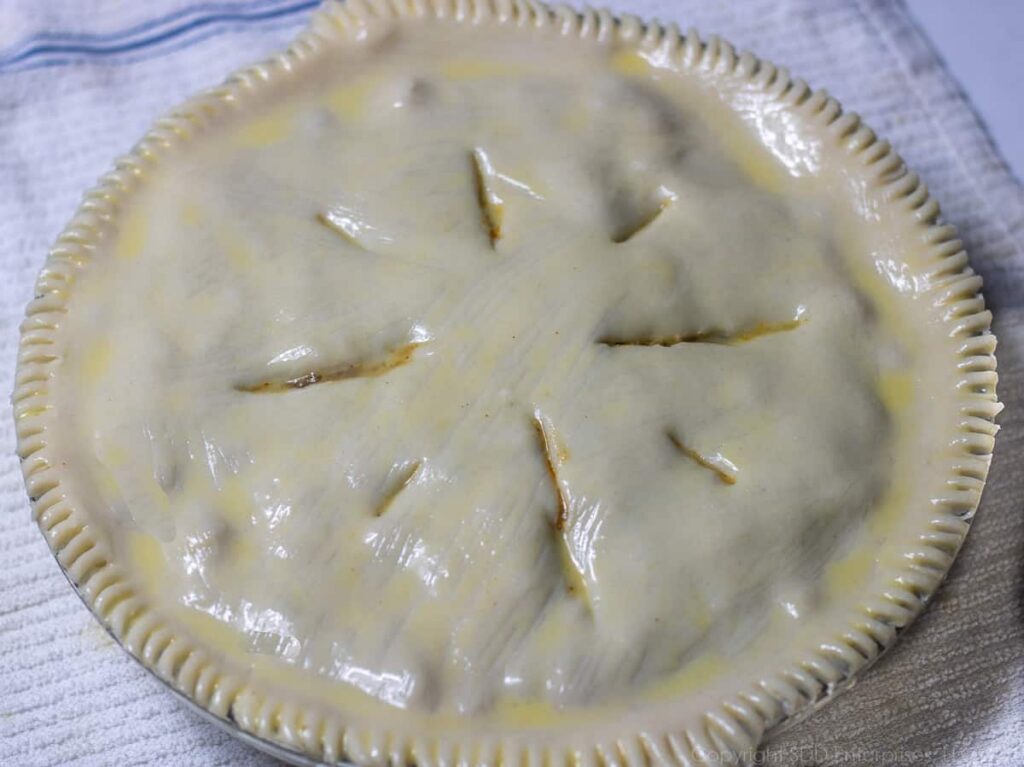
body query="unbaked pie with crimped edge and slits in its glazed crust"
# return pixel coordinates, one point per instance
(492, 383)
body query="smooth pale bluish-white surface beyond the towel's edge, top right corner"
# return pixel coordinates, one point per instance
(983, 42)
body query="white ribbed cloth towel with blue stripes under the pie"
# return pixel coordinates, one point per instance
(80, 82)
